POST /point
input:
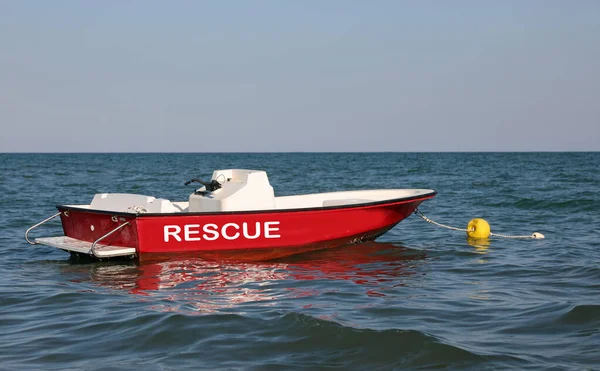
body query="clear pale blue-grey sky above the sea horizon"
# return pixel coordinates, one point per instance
(237, 76)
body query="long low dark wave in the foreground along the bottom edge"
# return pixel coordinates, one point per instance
(275, 340)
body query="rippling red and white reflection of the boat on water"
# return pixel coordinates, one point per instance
(214, 284)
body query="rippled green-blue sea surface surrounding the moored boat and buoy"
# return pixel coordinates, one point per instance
(420, 297)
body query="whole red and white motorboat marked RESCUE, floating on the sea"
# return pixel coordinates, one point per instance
(236, 214)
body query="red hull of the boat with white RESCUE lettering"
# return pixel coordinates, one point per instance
(256, 234)
